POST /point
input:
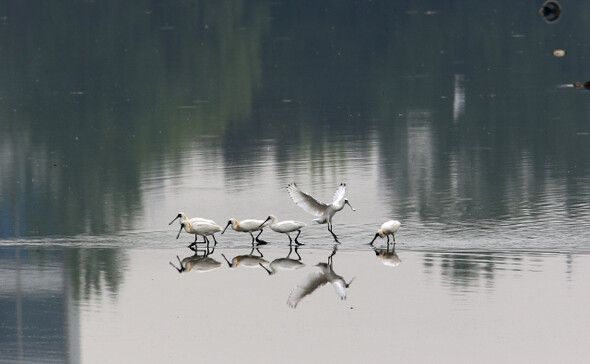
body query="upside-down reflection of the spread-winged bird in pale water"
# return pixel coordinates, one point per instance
(325, 274)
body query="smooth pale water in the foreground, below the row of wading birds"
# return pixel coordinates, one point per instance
(458, 306)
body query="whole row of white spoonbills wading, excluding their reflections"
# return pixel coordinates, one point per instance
(323, 212)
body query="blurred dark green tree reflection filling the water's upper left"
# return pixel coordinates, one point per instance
(93, 91)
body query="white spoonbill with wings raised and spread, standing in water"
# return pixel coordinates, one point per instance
(323, 211)
